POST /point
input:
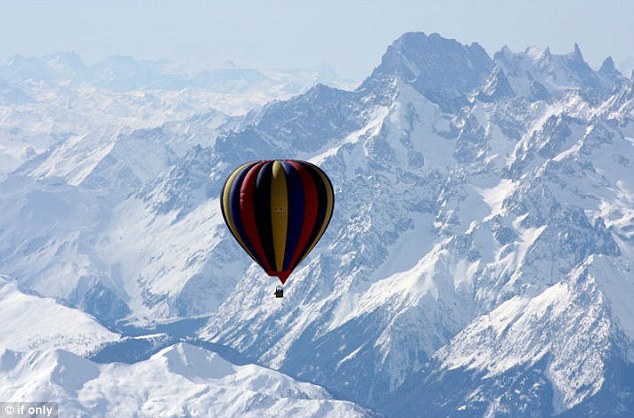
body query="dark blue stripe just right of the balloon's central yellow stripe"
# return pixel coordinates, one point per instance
(296, 208)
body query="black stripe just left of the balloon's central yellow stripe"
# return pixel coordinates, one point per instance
(262, 208)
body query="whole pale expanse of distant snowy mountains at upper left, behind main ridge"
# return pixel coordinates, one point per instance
(50, 99)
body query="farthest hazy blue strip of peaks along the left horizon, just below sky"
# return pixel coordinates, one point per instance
(124, 73)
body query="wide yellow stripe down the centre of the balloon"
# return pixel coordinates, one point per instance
(279, 212)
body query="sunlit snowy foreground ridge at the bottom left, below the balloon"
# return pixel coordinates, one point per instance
(181, 380)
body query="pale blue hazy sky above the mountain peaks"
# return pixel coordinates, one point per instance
(348, 35)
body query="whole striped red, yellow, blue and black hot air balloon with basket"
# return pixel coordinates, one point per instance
(277, 210)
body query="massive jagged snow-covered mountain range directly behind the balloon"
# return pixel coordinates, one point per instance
(478, 262)
